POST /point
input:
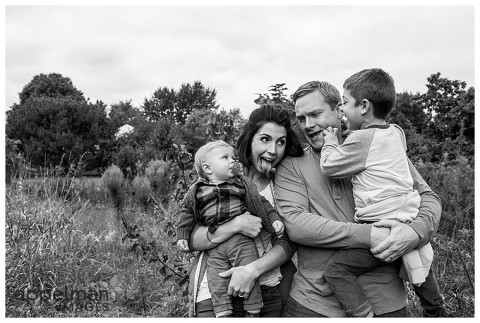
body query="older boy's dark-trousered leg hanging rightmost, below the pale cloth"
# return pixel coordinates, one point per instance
(430, 297)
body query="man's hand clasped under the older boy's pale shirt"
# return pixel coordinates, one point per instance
(389, 246)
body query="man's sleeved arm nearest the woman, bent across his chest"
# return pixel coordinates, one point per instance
(305, 227)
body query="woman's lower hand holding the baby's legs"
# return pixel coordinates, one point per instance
(241, 281)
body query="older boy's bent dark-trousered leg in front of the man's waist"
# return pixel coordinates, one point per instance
(341, 274)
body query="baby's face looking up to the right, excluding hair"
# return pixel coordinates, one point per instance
(220, 162)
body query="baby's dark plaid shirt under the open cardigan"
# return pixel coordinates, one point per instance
(220, 203)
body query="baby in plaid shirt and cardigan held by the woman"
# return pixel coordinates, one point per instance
(218, 196)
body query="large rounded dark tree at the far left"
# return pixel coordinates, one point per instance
(57, 126)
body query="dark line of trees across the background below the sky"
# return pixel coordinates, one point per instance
(55, 125)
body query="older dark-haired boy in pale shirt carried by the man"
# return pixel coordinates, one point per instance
(374, 154)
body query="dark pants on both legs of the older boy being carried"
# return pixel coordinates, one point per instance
(346, 265)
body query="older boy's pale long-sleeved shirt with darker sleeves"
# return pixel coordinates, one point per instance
(376, 160)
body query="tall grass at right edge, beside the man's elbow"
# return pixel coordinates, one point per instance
(454, 249)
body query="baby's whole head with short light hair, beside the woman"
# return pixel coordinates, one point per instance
(216, 161)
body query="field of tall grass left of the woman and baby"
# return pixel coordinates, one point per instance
(54, 243)
